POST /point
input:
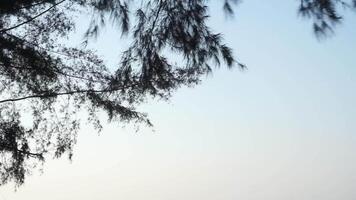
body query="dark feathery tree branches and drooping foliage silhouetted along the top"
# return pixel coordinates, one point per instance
(44, 83)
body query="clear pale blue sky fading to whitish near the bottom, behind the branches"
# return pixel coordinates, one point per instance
(283, 129)
